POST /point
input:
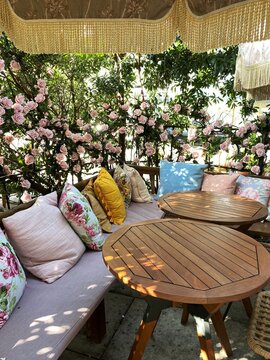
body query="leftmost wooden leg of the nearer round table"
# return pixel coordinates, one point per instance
(147, 326)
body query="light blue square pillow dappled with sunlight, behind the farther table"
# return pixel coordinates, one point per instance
(178, 176)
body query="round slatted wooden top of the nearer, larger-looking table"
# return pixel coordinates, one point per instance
(187, 261)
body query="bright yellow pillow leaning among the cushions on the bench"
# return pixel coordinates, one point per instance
(109, 196)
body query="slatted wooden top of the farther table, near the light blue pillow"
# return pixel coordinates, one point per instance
(213, 207)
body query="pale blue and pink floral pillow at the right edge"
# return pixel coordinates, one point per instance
(254, 188)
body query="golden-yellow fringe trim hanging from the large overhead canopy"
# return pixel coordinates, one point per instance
(241, 22)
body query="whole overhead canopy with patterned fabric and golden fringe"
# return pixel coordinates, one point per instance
(141, 26)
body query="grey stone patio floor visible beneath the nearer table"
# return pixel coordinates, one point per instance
(170, 340)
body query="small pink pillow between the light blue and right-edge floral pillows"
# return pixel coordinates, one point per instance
(223, 184)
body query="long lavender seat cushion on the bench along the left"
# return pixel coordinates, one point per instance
(49, 316)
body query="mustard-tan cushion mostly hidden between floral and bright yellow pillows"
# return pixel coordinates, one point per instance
(89, 193)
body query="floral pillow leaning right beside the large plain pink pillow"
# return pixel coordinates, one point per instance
(76, 209)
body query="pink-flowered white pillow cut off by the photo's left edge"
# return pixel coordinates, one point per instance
(12, 279)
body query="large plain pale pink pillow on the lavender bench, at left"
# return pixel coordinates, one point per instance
(44, 241)
